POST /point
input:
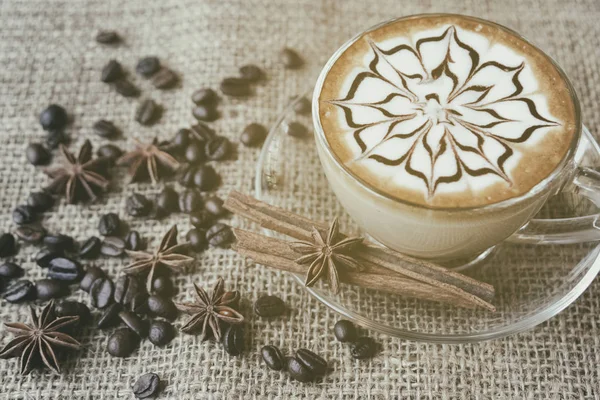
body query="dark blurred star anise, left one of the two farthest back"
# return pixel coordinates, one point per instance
(81, 178)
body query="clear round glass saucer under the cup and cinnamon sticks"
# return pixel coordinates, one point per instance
(533, 282)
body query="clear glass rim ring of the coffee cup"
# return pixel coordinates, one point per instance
(534, 191)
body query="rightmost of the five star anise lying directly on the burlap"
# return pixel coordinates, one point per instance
(208, 311)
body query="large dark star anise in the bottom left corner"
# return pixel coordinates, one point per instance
(38, 341)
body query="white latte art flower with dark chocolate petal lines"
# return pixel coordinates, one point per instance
(444, 109)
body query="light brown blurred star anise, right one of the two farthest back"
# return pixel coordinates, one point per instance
(148, 161)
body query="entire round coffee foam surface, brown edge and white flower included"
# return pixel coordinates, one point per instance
(447, 111)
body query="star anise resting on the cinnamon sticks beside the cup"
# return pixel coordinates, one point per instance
(326, 255)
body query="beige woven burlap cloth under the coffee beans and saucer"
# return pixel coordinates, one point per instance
(47, 54)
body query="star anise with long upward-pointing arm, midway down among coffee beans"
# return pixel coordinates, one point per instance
(168, 255)
